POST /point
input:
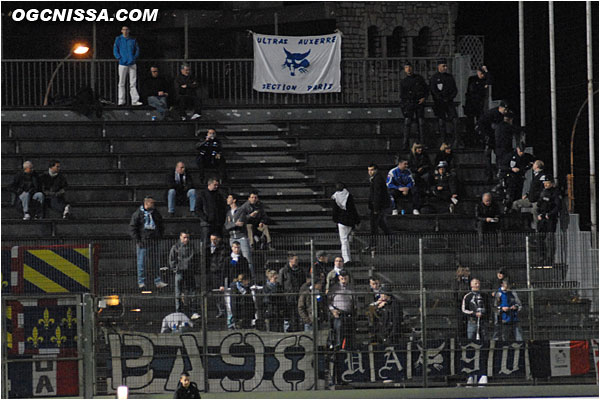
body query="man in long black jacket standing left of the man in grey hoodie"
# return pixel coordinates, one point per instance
(211, 209)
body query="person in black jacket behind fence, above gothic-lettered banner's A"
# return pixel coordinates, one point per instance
(389, 317)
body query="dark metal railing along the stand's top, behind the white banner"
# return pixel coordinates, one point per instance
(225, 82)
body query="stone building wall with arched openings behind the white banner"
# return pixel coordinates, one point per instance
(355, 18)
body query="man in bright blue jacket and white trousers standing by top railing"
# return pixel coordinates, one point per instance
(126, 50)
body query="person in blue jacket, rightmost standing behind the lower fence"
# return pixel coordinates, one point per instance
(508, 305)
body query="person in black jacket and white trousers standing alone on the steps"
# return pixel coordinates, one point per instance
(345, 216)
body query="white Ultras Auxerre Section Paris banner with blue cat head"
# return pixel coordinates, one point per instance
(297, 64)
